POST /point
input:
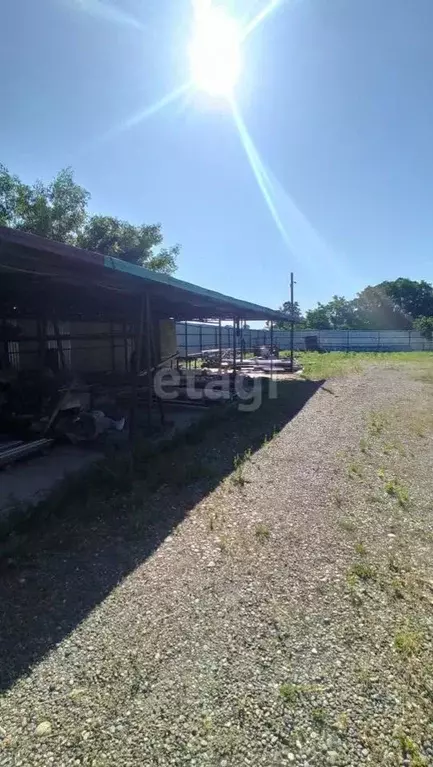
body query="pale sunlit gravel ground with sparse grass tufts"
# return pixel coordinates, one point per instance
(287, 619)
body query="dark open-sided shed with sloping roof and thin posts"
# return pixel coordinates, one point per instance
(102, 300)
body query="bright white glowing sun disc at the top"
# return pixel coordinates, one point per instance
(215, 50)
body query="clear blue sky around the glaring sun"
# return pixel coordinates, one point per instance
(336, 96)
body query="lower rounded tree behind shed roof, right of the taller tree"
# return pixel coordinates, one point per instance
(136, 244)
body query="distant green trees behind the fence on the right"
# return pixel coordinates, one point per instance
(400, 304)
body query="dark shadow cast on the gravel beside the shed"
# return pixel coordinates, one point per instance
(96, 530)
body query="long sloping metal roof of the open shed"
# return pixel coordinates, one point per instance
(38, 259)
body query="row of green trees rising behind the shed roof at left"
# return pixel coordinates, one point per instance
(58, 210)
